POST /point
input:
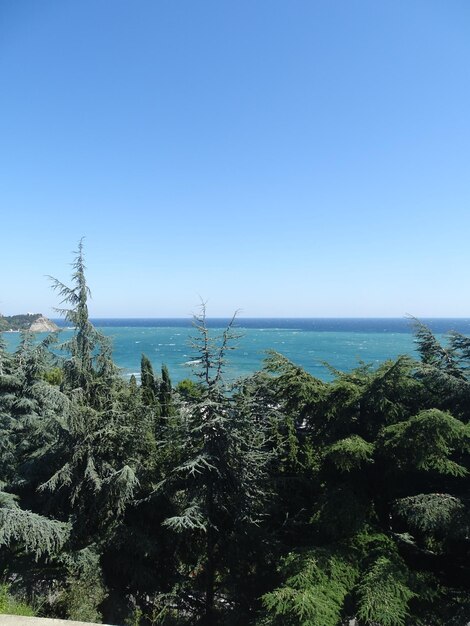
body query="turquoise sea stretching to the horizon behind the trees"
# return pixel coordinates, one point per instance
(343, 343)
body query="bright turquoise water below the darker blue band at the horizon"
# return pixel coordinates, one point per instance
(308, 349)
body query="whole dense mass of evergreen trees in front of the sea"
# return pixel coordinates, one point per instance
(277, 500)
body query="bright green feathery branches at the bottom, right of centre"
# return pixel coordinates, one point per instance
(320, 583)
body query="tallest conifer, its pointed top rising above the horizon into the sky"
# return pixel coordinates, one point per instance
(95, 447)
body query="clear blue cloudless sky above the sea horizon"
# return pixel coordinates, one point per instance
(295, 158)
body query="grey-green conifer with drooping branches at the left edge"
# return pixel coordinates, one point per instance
(29, 406)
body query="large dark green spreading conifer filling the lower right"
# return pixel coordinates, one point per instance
(388, 477)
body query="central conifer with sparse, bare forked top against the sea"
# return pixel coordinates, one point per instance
(217, 487)
